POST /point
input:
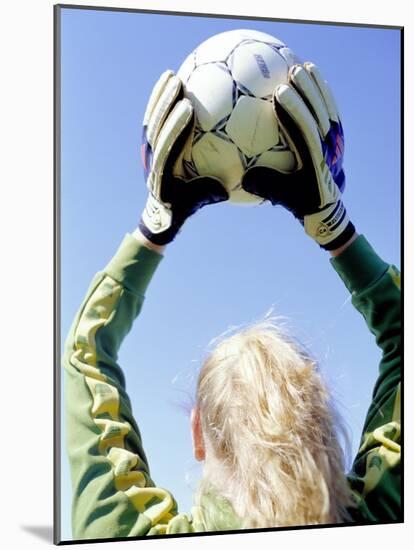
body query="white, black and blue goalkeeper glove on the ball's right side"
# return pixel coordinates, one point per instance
(306, 111)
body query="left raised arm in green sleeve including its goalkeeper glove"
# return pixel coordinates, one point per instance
(113, 493)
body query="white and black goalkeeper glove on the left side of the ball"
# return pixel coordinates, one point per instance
(167, 132)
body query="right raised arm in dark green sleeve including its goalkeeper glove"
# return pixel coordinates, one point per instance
(306, 111)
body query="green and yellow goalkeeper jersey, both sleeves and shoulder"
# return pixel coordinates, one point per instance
(113, 493)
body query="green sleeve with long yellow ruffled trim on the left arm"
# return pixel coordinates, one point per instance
(113, 493)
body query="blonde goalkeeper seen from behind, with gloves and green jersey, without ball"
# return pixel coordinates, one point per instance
(263, 423)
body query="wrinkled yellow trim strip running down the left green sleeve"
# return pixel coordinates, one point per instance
(155, 503)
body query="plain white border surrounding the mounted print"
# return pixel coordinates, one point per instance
(26, 273)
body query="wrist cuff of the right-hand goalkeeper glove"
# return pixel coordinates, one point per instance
(331, 227)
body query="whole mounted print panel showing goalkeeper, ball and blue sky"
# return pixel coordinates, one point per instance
(229, 234)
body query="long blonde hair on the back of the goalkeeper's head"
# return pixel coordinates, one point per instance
(271, 431)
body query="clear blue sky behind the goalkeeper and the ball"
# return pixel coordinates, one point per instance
(230, 264)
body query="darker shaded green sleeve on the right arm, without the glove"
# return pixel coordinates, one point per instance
(375, 476)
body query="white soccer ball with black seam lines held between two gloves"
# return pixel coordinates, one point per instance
(230, 79)
